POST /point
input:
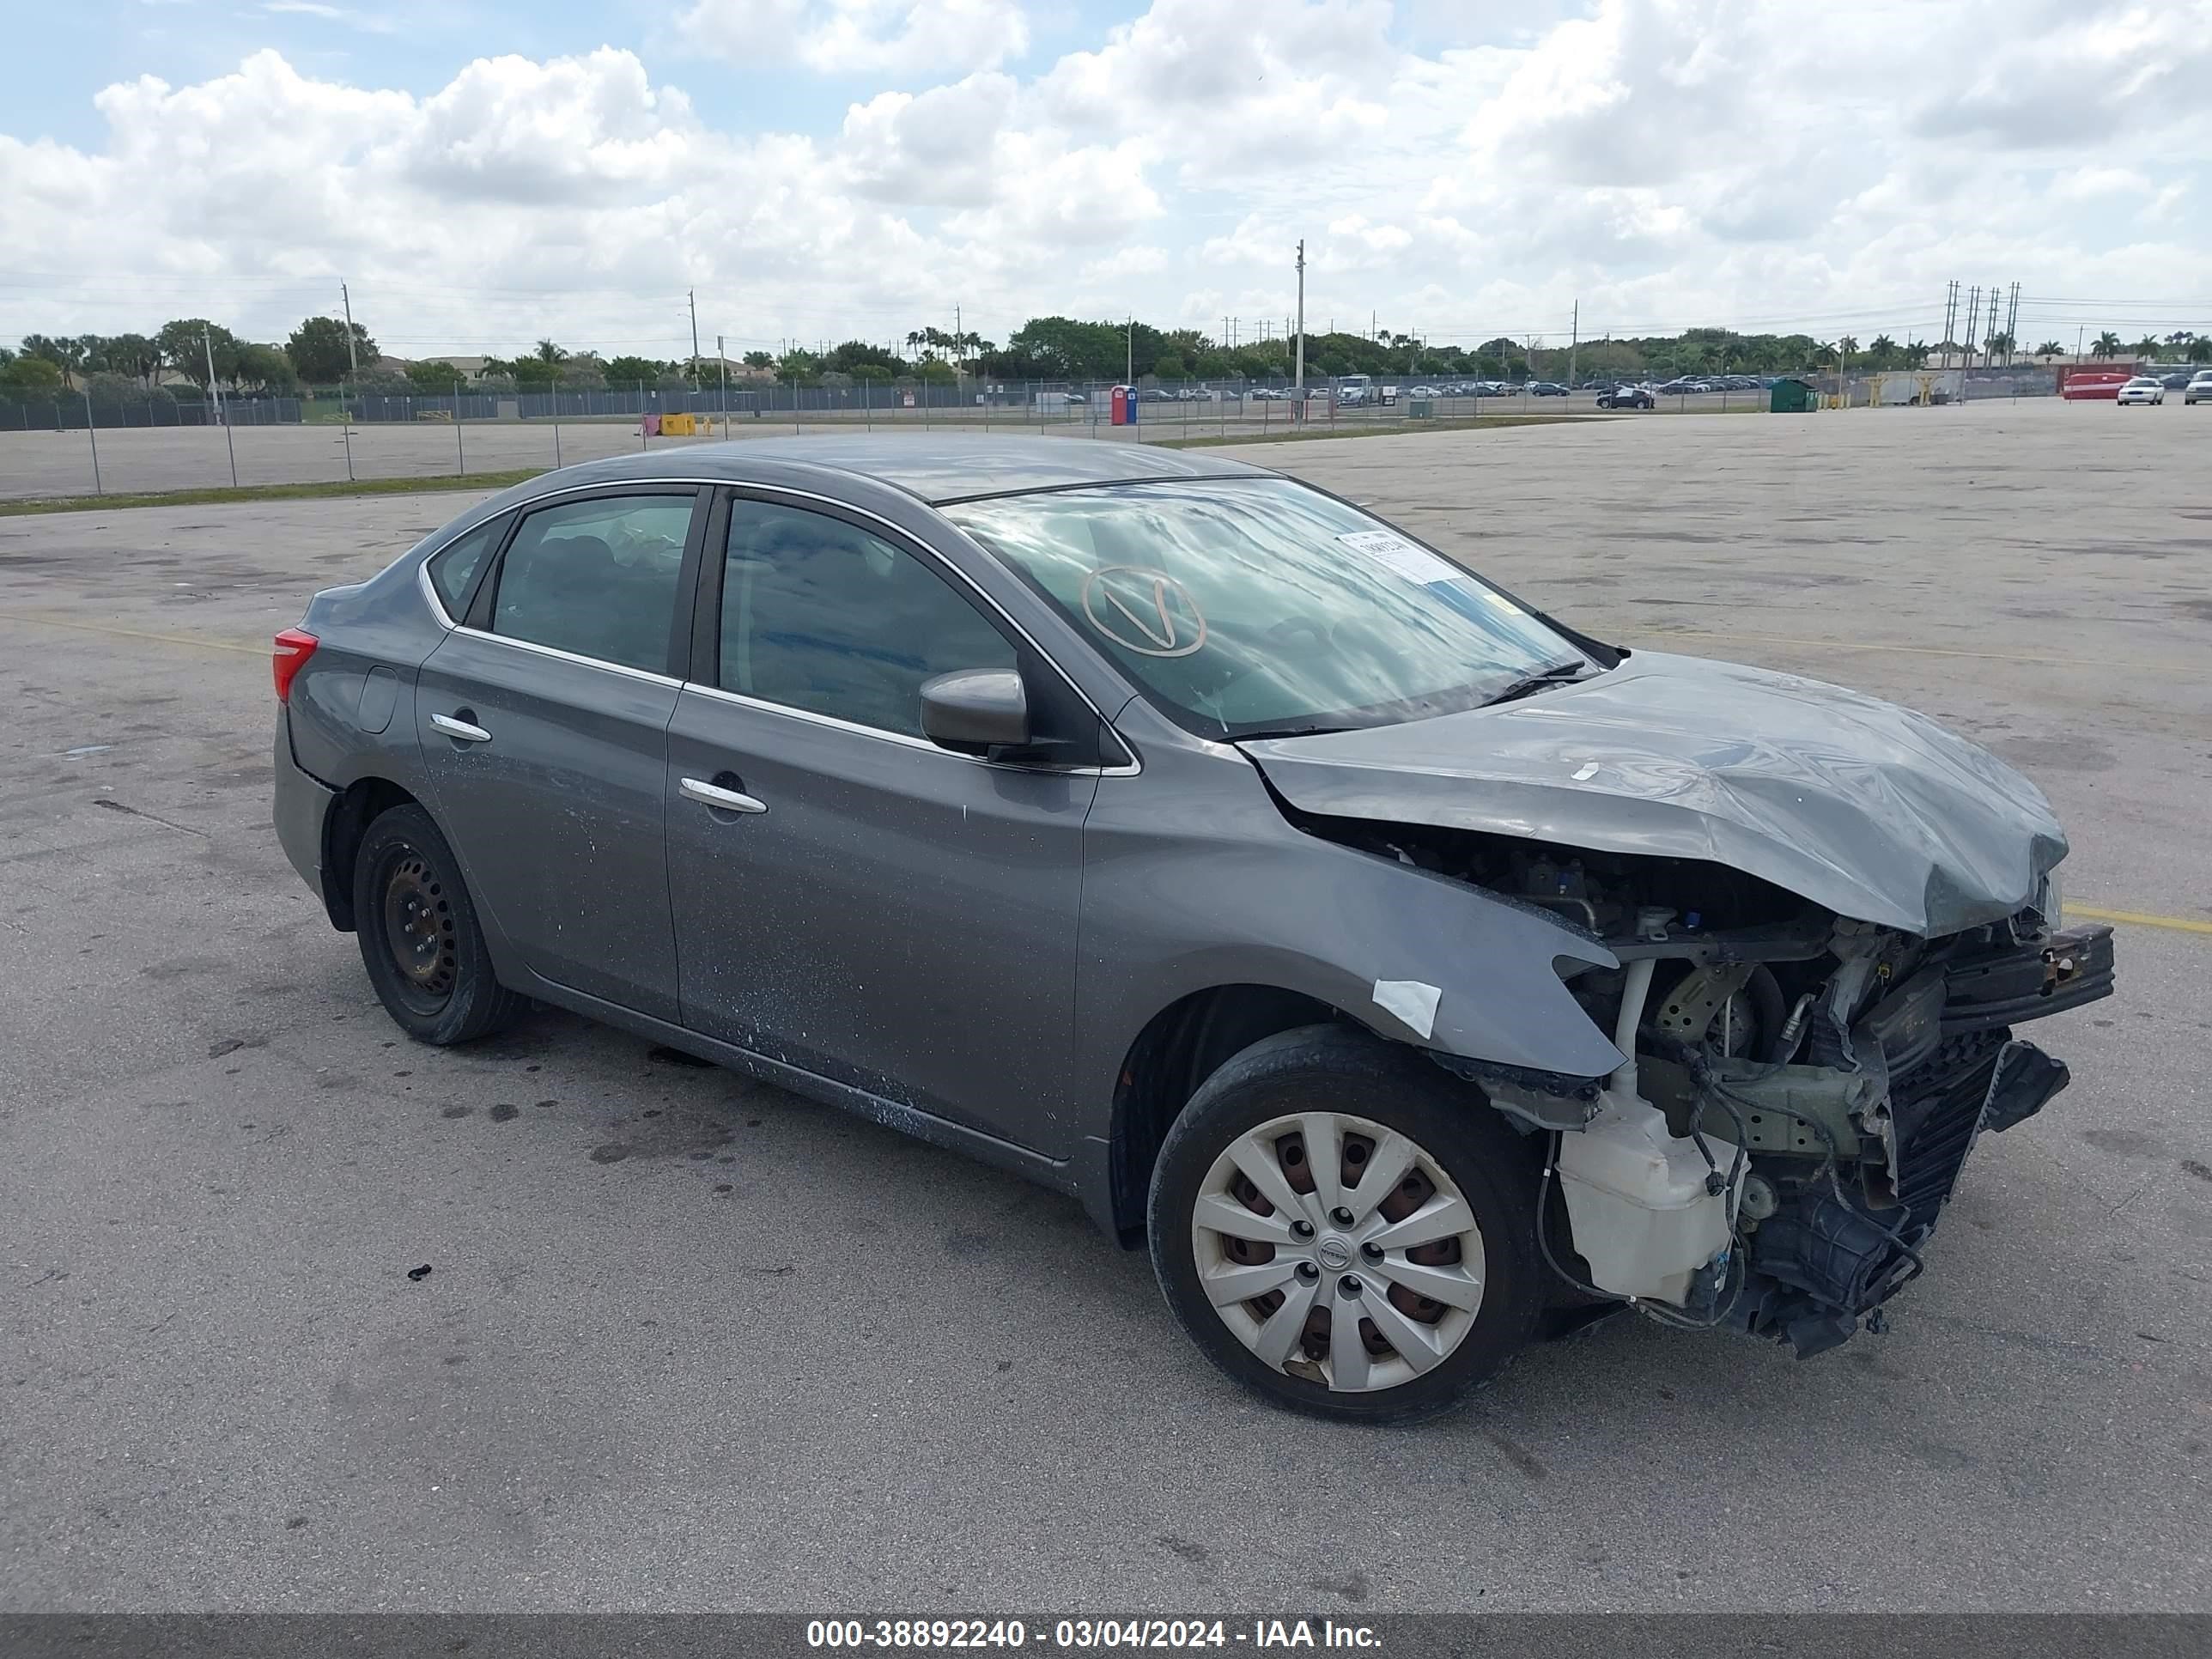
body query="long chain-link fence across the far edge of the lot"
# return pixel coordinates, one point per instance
(121, 437)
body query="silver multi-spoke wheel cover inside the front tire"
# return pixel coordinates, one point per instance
(1284, 1269)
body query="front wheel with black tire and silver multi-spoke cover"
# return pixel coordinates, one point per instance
(1359, 1089)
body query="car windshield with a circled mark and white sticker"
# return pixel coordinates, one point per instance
(1264, 607)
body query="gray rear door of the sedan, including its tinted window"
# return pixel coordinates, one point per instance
(545, 733)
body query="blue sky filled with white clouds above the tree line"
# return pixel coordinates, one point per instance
(490, 171)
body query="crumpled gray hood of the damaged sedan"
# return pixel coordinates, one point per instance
(1861, 806)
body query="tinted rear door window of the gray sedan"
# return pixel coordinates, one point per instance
(598, 578)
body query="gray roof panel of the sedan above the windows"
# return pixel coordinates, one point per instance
(932, 468)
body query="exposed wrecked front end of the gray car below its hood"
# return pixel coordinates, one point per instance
(1802, 1092)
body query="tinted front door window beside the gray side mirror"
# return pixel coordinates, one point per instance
(822, 616)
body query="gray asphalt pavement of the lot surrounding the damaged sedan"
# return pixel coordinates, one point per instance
(693, 1344)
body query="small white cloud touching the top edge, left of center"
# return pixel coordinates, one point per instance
(901, 39)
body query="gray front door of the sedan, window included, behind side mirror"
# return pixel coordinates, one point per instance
(881, 912)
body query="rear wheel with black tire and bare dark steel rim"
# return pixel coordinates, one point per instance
(435, 983)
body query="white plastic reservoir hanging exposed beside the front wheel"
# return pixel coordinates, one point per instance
(1638, 1200)
